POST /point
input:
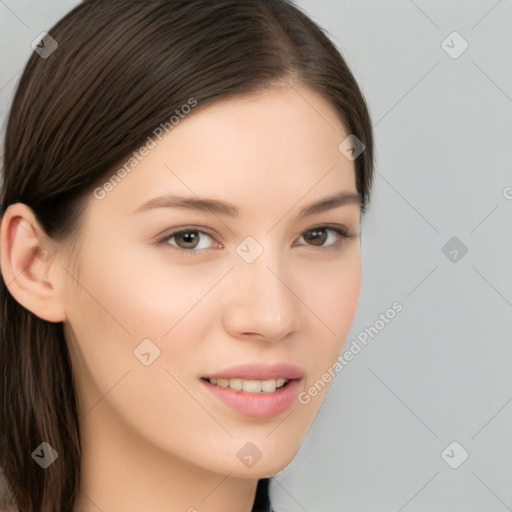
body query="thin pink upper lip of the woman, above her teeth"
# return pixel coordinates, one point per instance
(286, 370)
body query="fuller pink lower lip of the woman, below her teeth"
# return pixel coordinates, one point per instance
(257, 405)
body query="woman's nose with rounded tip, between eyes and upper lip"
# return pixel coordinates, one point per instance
(261, 302)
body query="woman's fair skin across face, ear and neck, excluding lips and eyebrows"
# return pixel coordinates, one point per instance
(153, 437)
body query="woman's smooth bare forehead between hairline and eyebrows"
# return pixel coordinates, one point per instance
(274, 147)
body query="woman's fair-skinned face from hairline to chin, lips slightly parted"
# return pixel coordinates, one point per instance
(172, 303)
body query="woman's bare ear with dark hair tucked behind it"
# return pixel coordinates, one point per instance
(27, 257)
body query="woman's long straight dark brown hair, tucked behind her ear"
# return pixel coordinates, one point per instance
(121, 68)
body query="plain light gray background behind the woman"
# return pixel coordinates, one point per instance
(440, 370)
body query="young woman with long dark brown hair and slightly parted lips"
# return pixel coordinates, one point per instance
(183, 182)
